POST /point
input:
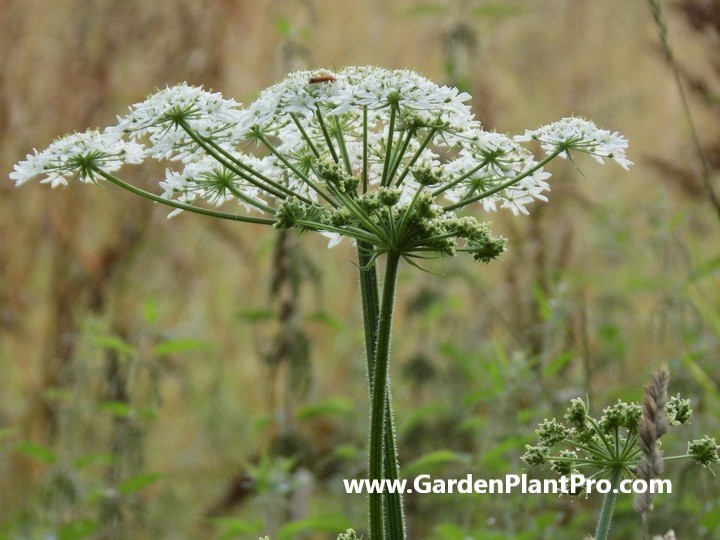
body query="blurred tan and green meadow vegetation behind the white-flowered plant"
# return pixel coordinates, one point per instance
(196, 379)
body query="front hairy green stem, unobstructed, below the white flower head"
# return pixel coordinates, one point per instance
(379, 401)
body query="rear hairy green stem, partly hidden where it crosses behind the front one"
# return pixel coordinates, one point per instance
(392, 504)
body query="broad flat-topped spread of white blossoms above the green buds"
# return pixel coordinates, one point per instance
(381, 128)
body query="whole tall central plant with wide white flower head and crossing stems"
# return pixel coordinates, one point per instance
(389, 160)
